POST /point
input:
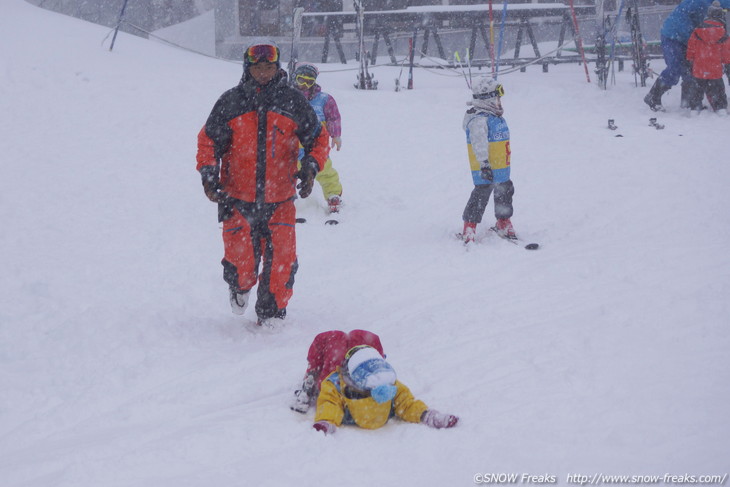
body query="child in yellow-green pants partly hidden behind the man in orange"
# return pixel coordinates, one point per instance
(324, 104)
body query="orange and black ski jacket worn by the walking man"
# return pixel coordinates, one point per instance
(253, 134)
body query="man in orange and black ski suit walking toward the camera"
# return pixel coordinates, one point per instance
(247, 158)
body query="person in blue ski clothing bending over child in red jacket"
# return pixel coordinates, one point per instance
(677, 28)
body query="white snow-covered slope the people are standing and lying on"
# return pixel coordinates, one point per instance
(604, 352)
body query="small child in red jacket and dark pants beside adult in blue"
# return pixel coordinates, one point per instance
(708, 50)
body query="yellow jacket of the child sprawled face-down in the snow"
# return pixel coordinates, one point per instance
(333, 406)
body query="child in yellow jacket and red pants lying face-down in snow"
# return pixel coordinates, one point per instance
(352, 383)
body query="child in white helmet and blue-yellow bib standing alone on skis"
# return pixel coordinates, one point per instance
(487, 138)
